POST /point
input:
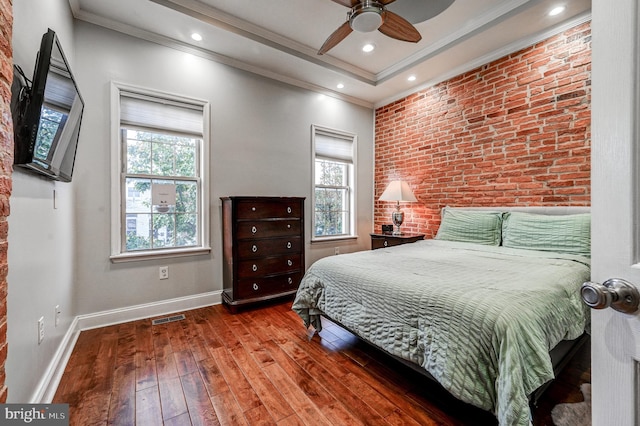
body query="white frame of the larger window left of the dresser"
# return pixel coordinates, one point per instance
(118, 217)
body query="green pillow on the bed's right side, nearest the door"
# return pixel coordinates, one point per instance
(560, 233)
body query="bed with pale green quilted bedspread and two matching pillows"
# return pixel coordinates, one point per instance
(478, 308)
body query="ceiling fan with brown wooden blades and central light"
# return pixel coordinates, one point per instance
(371, 15)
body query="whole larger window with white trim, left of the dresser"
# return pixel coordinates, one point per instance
(162, 181)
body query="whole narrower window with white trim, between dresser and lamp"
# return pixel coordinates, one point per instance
(334, 183)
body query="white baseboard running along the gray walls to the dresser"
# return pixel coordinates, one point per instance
(49, 383)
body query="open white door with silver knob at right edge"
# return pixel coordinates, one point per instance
(615, 207)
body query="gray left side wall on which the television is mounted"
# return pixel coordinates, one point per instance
(41, 238)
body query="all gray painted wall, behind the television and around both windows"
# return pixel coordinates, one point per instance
(260, 145)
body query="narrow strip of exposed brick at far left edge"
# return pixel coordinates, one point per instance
(6, 161)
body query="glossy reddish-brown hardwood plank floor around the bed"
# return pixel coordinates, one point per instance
(259, 367)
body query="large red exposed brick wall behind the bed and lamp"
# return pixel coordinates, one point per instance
(516, 131)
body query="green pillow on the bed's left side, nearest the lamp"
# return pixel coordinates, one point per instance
(480, 227)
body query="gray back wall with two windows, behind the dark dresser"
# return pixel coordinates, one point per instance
(260, 145)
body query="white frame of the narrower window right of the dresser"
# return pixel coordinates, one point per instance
(352, 173)
